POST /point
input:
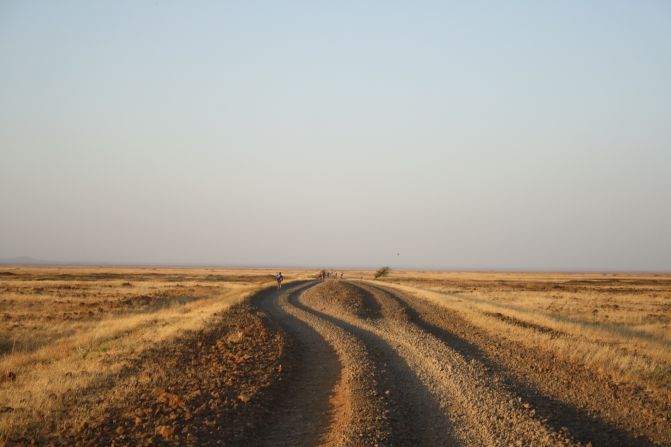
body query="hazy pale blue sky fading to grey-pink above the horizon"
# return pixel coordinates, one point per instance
(512, 135)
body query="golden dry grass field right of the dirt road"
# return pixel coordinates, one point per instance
(615, 323)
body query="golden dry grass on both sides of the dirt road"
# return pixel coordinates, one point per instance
(73, 334)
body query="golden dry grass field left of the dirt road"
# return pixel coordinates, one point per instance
(74, 330)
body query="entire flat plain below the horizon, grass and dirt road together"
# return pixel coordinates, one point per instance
(221, 357)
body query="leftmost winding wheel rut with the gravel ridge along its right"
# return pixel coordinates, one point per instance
(337, 396)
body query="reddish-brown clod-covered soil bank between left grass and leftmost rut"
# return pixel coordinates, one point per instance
(213, 388)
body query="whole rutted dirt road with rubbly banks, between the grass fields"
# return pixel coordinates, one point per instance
(341, 363)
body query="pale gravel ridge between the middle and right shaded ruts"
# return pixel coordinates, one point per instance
(482, 412)
